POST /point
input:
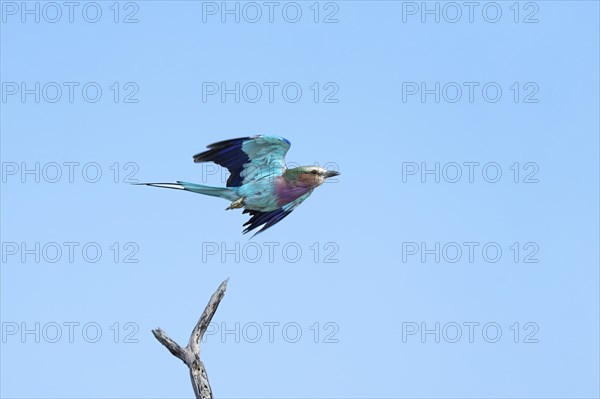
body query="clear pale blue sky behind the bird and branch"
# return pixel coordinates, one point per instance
(375, 289)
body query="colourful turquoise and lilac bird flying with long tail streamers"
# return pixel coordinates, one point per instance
(259, 181)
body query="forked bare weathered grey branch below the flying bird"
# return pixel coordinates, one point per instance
(190, 355)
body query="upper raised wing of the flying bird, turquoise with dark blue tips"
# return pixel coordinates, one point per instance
(248, 158)
